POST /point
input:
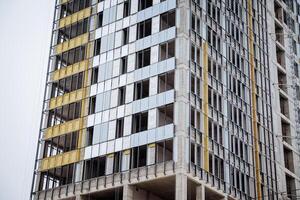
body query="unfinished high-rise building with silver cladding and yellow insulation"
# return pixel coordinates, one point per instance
(171, 100)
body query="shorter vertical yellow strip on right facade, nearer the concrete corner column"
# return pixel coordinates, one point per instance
(205, 107)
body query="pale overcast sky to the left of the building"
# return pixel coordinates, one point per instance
(24, 47)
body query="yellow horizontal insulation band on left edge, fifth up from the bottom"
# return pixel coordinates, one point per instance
(73, 43)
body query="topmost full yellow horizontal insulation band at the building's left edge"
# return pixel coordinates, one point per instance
(82, 14)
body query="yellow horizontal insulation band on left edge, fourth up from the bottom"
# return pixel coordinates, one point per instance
(70, 70)
